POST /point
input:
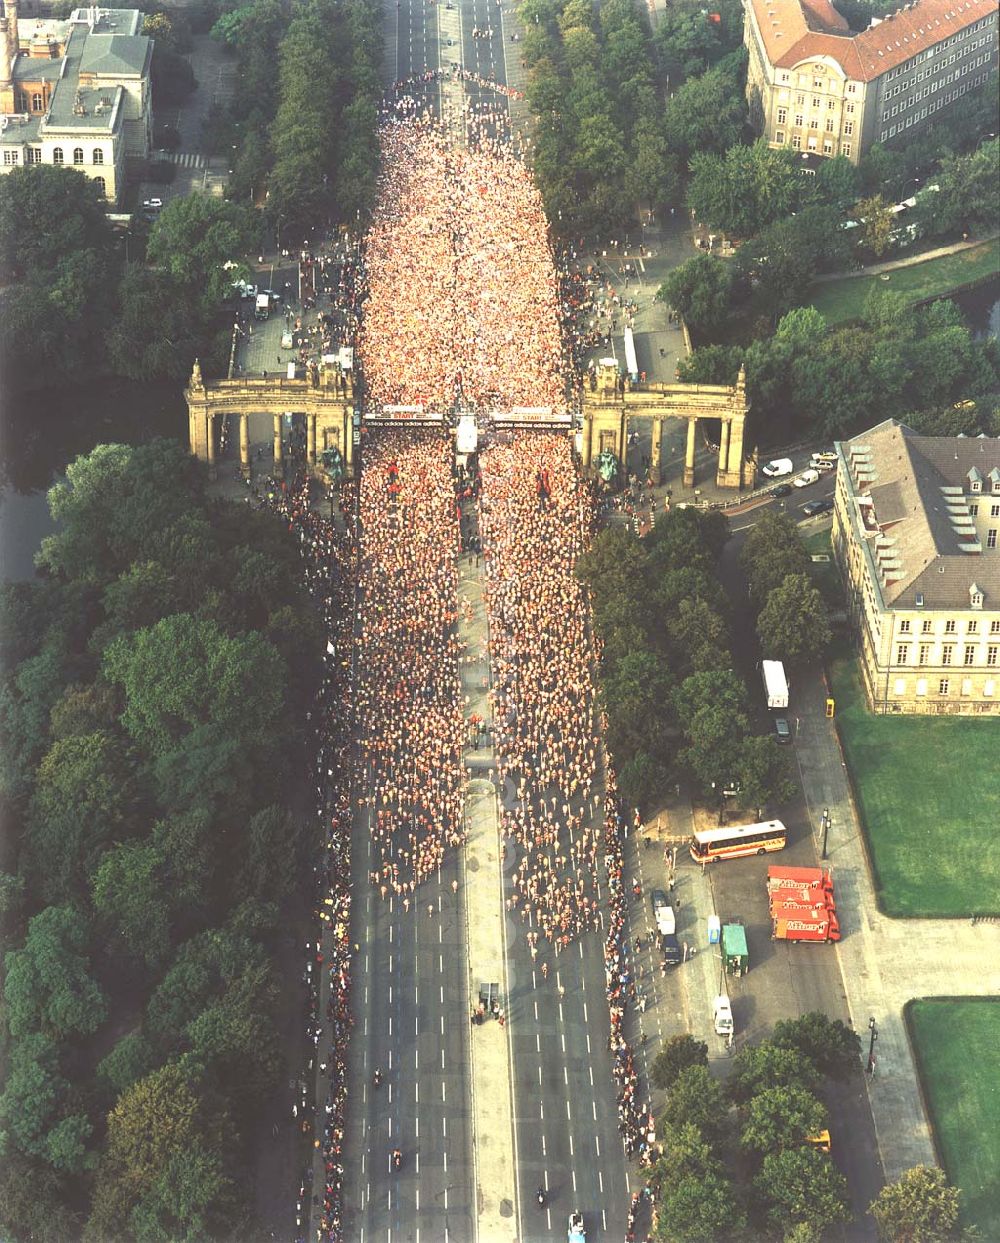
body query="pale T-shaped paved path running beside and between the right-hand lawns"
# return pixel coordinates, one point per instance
(885, 963)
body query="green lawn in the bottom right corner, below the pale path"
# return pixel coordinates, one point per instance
(958, 1053)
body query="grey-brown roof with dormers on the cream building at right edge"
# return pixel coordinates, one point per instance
(917, 488)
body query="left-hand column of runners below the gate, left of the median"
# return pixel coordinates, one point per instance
(408, 697)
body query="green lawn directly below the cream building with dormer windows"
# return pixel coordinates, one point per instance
(930, 802)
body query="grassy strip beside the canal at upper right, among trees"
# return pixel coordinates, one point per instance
(844, 300)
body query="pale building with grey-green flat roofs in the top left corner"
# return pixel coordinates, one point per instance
(76, 93)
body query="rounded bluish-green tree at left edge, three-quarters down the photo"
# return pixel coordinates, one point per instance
(49, 984)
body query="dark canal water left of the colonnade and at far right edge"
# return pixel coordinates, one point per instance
(45, 431)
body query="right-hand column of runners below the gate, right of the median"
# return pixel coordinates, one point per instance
(543, 698)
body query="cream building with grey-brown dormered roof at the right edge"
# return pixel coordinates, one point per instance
(916, 529)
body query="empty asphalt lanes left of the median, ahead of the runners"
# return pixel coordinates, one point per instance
(412, 1010)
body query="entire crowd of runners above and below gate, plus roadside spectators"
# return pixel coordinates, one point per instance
(463, 311)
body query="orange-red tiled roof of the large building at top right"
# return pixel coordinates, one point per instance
(799, 30)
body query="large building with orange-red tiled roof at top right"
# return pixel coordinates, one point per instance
(818, 88)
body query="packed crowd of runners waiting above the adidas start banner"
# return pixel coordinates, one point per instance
(461, 290)
